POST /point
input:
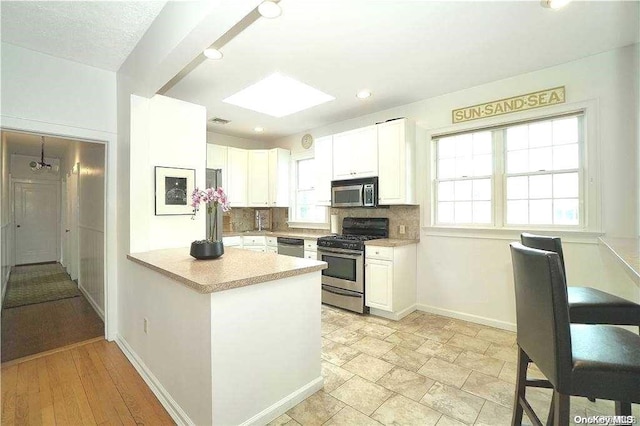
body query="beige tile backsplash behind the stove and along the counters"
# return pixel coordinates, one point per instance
(243, 219)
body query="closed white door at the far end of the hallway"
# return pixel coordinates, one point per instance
(37, 221)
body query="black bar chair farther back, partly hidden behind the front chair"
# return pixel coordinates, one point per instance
(588, 305)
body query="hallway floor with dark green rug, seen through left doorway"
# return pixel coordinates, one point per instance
(39, 325)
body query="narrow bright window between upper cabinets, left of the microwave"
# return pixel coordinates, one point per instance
(303, 211)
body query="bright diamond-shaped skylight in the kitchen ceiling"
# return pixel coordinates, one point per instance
(278, 96)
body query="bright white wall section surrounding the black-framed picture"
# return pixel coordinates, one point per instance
(170, 133)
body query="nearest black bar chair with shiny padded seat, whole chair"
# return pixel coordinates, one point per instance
(593, 361)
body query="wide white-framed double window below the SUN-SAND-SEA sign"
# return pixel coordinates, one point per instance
(526, 174)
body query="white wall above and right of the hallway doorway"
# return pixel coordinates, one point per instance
(52, 96)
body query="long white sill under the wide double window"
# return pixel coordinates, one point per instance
(512, 234)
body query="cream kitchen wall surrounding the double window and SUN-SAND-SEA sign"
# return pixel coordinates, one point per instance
(468, 274)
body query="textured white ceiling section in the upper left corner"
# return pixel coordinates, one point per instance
(97, 33)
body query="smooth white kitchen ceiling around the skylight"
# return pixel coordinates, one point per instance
(403, 51)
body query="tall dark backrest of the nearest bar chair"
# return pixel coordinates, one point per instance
(542, 312)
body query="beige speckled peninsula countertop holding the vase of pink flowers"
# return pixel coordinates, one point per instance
(236, 267)
